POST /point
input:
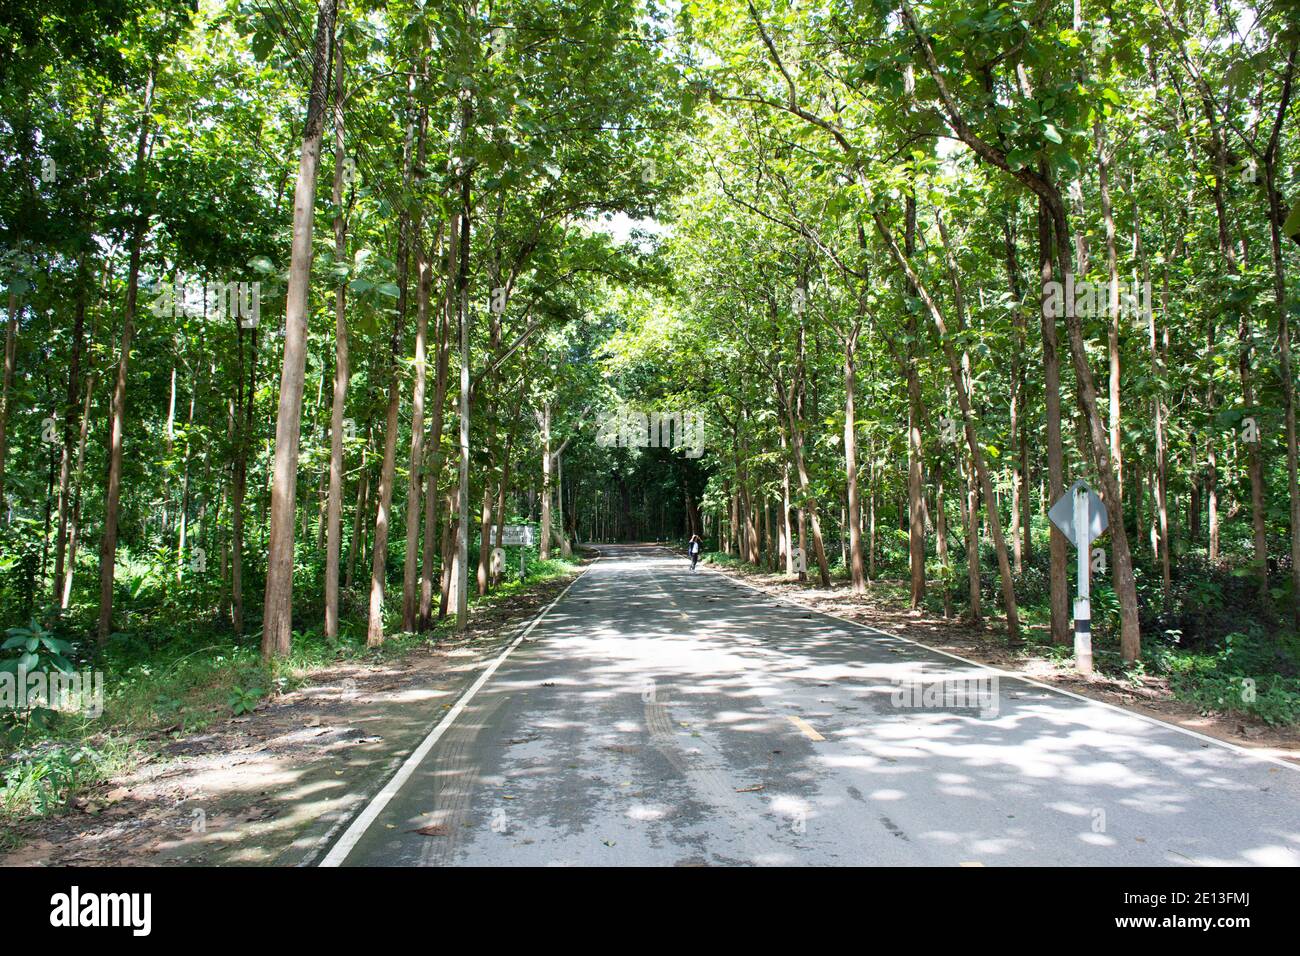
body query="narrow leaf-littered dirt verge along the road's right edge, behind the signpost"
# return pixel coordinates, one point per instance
(1150, 695)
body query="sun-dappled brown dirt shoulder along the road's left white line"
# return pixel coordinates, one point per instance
(272, 788)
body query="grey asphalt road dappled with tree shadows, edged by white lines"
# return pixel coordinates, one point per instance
(660, 717)
